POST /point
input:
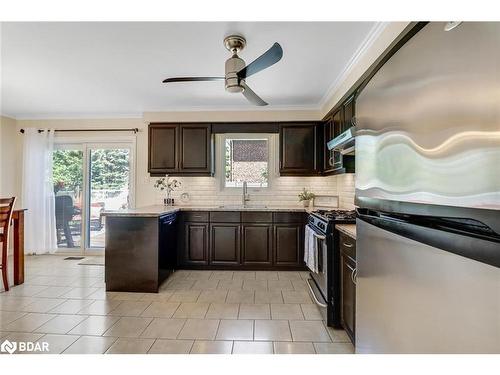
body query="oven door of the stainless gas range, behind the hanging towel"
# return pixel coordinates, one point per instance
(319, 284)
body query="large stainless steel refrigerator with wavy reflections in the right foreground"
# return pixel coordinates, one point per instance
(428, 192)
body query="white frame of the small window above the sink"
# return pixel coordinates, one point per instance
(272, 143)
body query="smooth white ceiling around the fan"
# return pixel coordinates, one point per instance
(106, 69)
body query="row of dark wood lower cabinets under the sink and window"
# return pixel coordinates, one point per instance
(247, 240)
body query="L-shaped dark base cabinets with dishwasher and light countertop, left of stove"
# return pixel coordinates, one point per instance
(144, 245)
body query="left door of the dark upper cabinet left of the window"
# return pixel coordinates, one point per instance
(163, 148)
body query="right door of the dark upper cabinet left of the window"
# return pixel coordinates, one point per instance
(195, 151)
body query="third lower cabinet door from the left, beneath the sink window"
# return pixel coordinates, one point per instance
(257, 244)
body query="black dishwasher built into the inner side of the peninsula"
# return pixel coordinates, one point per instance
(167, 246)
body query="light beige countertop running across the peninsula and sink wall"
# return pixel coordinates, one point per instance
(158, 210)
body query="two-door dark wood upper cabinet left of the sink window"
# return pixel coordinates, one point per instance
(180, 149)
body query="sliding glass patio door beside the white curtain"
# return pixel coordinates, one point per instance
(90, 178)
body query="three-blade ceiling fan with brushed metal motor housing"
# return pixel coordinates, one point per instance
(237, 72)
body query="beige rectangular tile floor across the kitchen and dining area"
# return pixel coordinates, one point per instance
(240, 312)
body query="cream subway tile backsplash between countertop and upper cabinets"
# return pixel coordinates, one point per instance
(283, 192)
